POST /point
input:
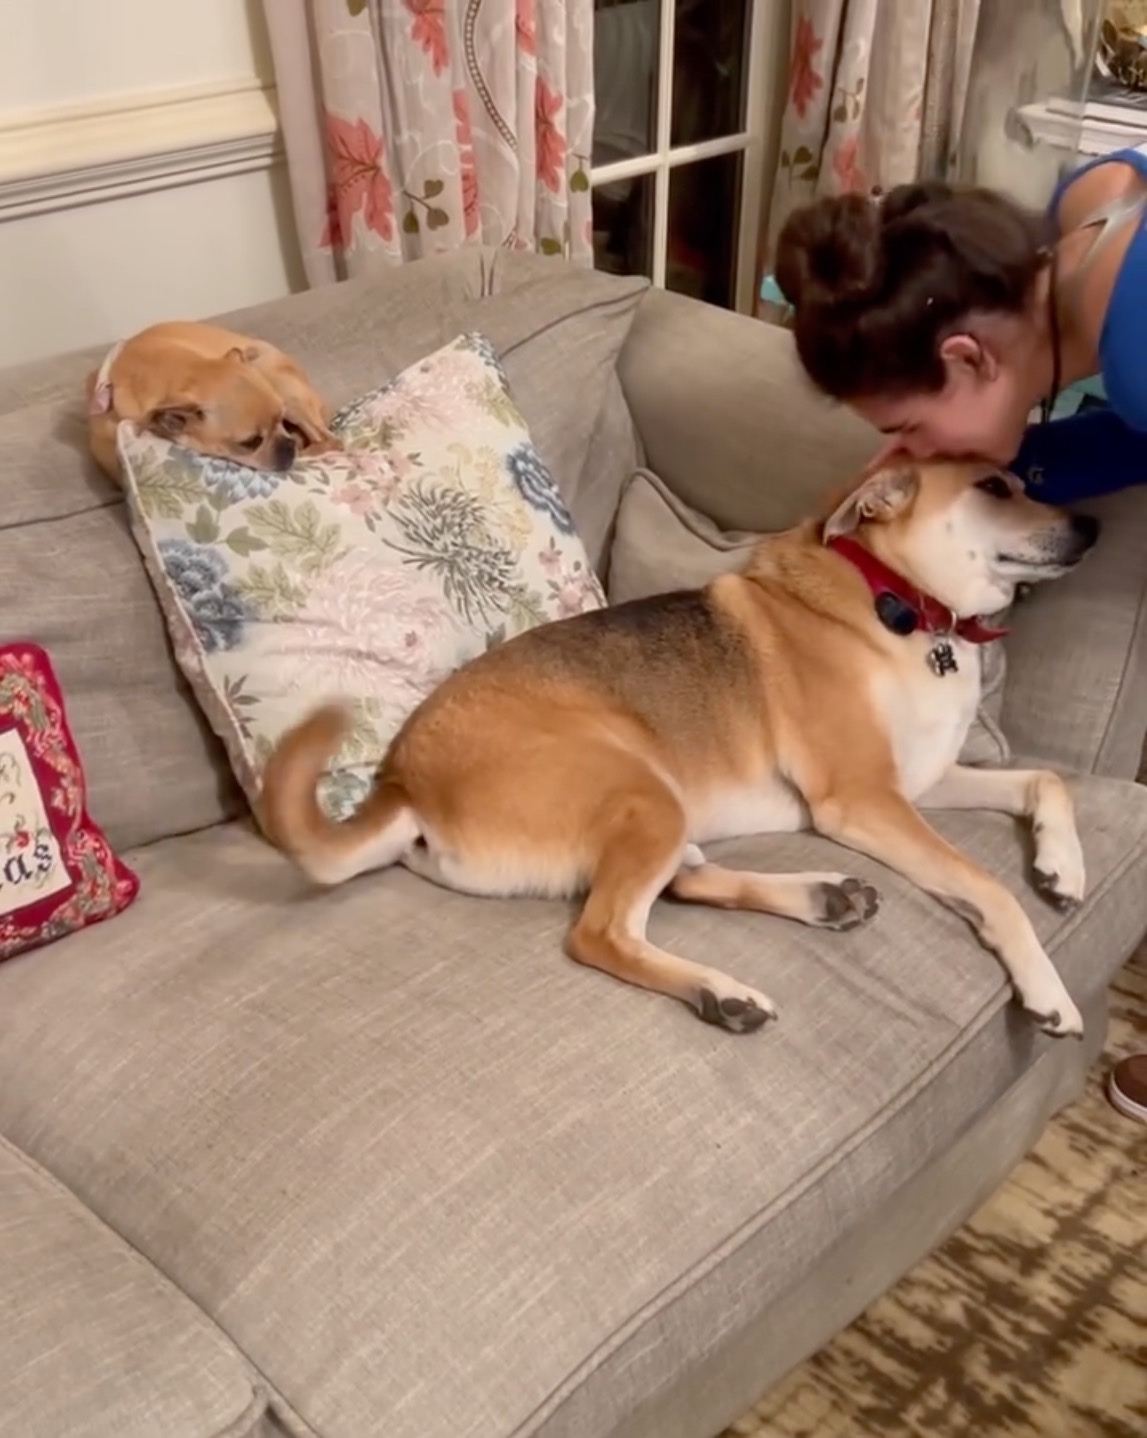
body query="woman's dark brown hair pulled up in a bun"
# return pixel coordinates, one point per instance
(877, 287)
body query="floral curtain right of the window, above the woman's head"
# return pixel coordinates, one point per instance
(875, 97)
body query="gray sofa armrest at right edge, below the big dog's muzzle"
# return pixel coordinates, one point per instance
(1077, 654)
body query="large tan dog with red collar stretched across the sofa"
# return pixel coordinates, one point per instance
(832, 685)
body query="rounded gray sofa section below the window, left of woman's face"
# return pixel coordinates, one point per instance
(729, 421)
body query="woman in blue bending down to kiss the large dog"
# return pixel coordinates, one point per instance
(945, 317)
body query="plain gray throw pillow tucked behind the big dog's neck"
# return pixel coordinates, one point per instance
(662, 544)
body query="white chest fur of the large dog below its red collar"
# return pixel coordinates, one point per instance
(928, 715)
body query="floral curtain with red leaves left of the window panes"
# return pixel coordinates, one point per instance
(420, 126)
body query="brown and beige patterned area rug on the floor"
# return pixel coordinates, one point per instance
(1031, 1322)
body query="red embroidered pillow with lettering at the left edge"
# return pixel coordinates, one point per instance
(57, 871)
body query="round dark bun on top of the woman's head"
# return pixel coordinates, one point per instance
(832, 252)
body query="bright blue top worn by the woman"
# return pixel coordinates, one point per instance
(1103, 451)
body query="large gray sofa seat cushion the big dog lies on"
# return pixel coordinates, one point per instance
(419, 1165)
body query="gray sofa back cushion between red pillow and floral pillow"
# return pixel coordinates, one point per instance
(71, 580)
